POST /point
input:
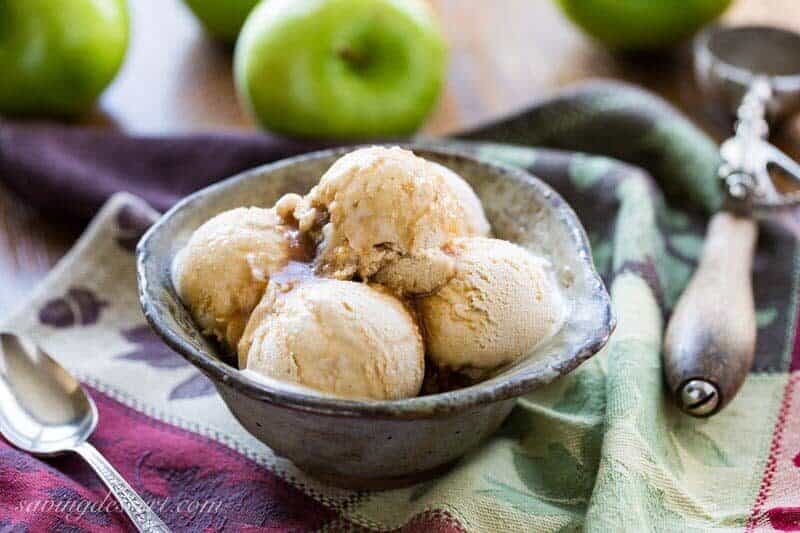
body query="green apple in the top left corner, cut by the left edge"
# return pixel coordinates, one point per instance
(57, 56)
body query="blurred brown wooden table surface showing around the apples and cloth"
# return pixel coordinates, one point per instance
(504, 55)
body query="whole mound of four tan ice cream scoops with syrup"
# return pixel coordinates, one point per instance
(398, 272)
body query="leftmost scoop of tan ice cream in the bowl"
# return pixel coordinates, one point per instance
(223, 270)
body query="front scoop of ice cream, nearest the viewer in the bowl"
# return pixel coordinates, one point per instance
(340, 337)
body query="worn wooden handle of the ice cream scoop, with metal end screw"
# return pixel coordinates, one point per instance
(711, 336)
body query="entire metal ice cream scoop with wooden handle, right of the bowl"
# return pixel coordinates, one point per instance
(711, 337)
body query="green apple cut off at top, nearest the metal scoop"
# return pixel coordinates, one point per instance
(642, 25)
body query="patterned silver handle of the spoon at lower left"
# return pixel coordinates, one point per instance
(134, 506)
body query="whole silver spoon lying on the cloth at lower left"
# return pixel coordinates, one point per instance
(46, 412)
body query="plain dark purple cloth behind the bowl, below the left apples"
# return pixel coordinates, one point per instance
(72, 171)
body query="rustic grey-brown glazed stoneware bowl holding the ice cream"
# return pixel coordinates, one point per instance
(373, 444)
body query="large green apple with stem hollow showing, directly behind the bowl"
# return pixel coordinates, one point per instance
(340, 68)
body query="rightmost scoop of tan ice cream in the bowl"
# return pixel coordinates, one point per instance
(501, 302)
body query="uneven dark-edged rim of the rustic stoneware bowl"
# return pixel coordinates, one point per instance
(433, 405)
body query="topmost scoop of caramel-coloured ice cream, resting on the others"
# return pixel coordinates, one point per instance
(382, 204)
